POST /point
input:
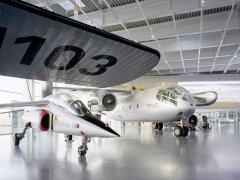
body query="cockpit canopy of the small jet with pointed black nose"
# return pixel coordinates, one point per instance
(71, 104)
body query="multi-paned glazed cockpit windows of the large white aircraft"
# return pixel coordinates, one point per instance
(172, 94)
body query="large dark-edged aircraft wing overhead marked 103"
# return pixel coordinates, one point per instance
(39, 44)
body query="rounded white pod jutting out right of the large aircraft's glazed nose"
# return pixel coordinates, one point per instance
(205, 98)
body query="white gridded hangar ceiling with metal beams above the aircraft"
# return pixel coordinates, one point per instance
(193, 36)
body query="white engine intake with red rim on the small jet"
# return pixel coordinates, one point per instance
(40, 119)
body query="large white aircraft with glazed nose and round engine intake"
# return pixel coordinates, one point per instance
(159, 105)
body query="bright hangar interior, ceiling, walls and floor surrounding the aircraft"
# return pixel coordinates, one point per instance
(199, 42)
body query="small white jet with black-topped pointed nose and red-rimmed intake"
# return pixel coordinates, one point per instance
(62, 113)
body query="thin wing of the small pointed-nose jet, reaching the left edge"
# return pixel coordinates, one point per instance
(25, 104)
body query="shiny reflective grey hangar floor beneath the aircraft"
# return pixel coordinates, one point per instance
(138, 155)
